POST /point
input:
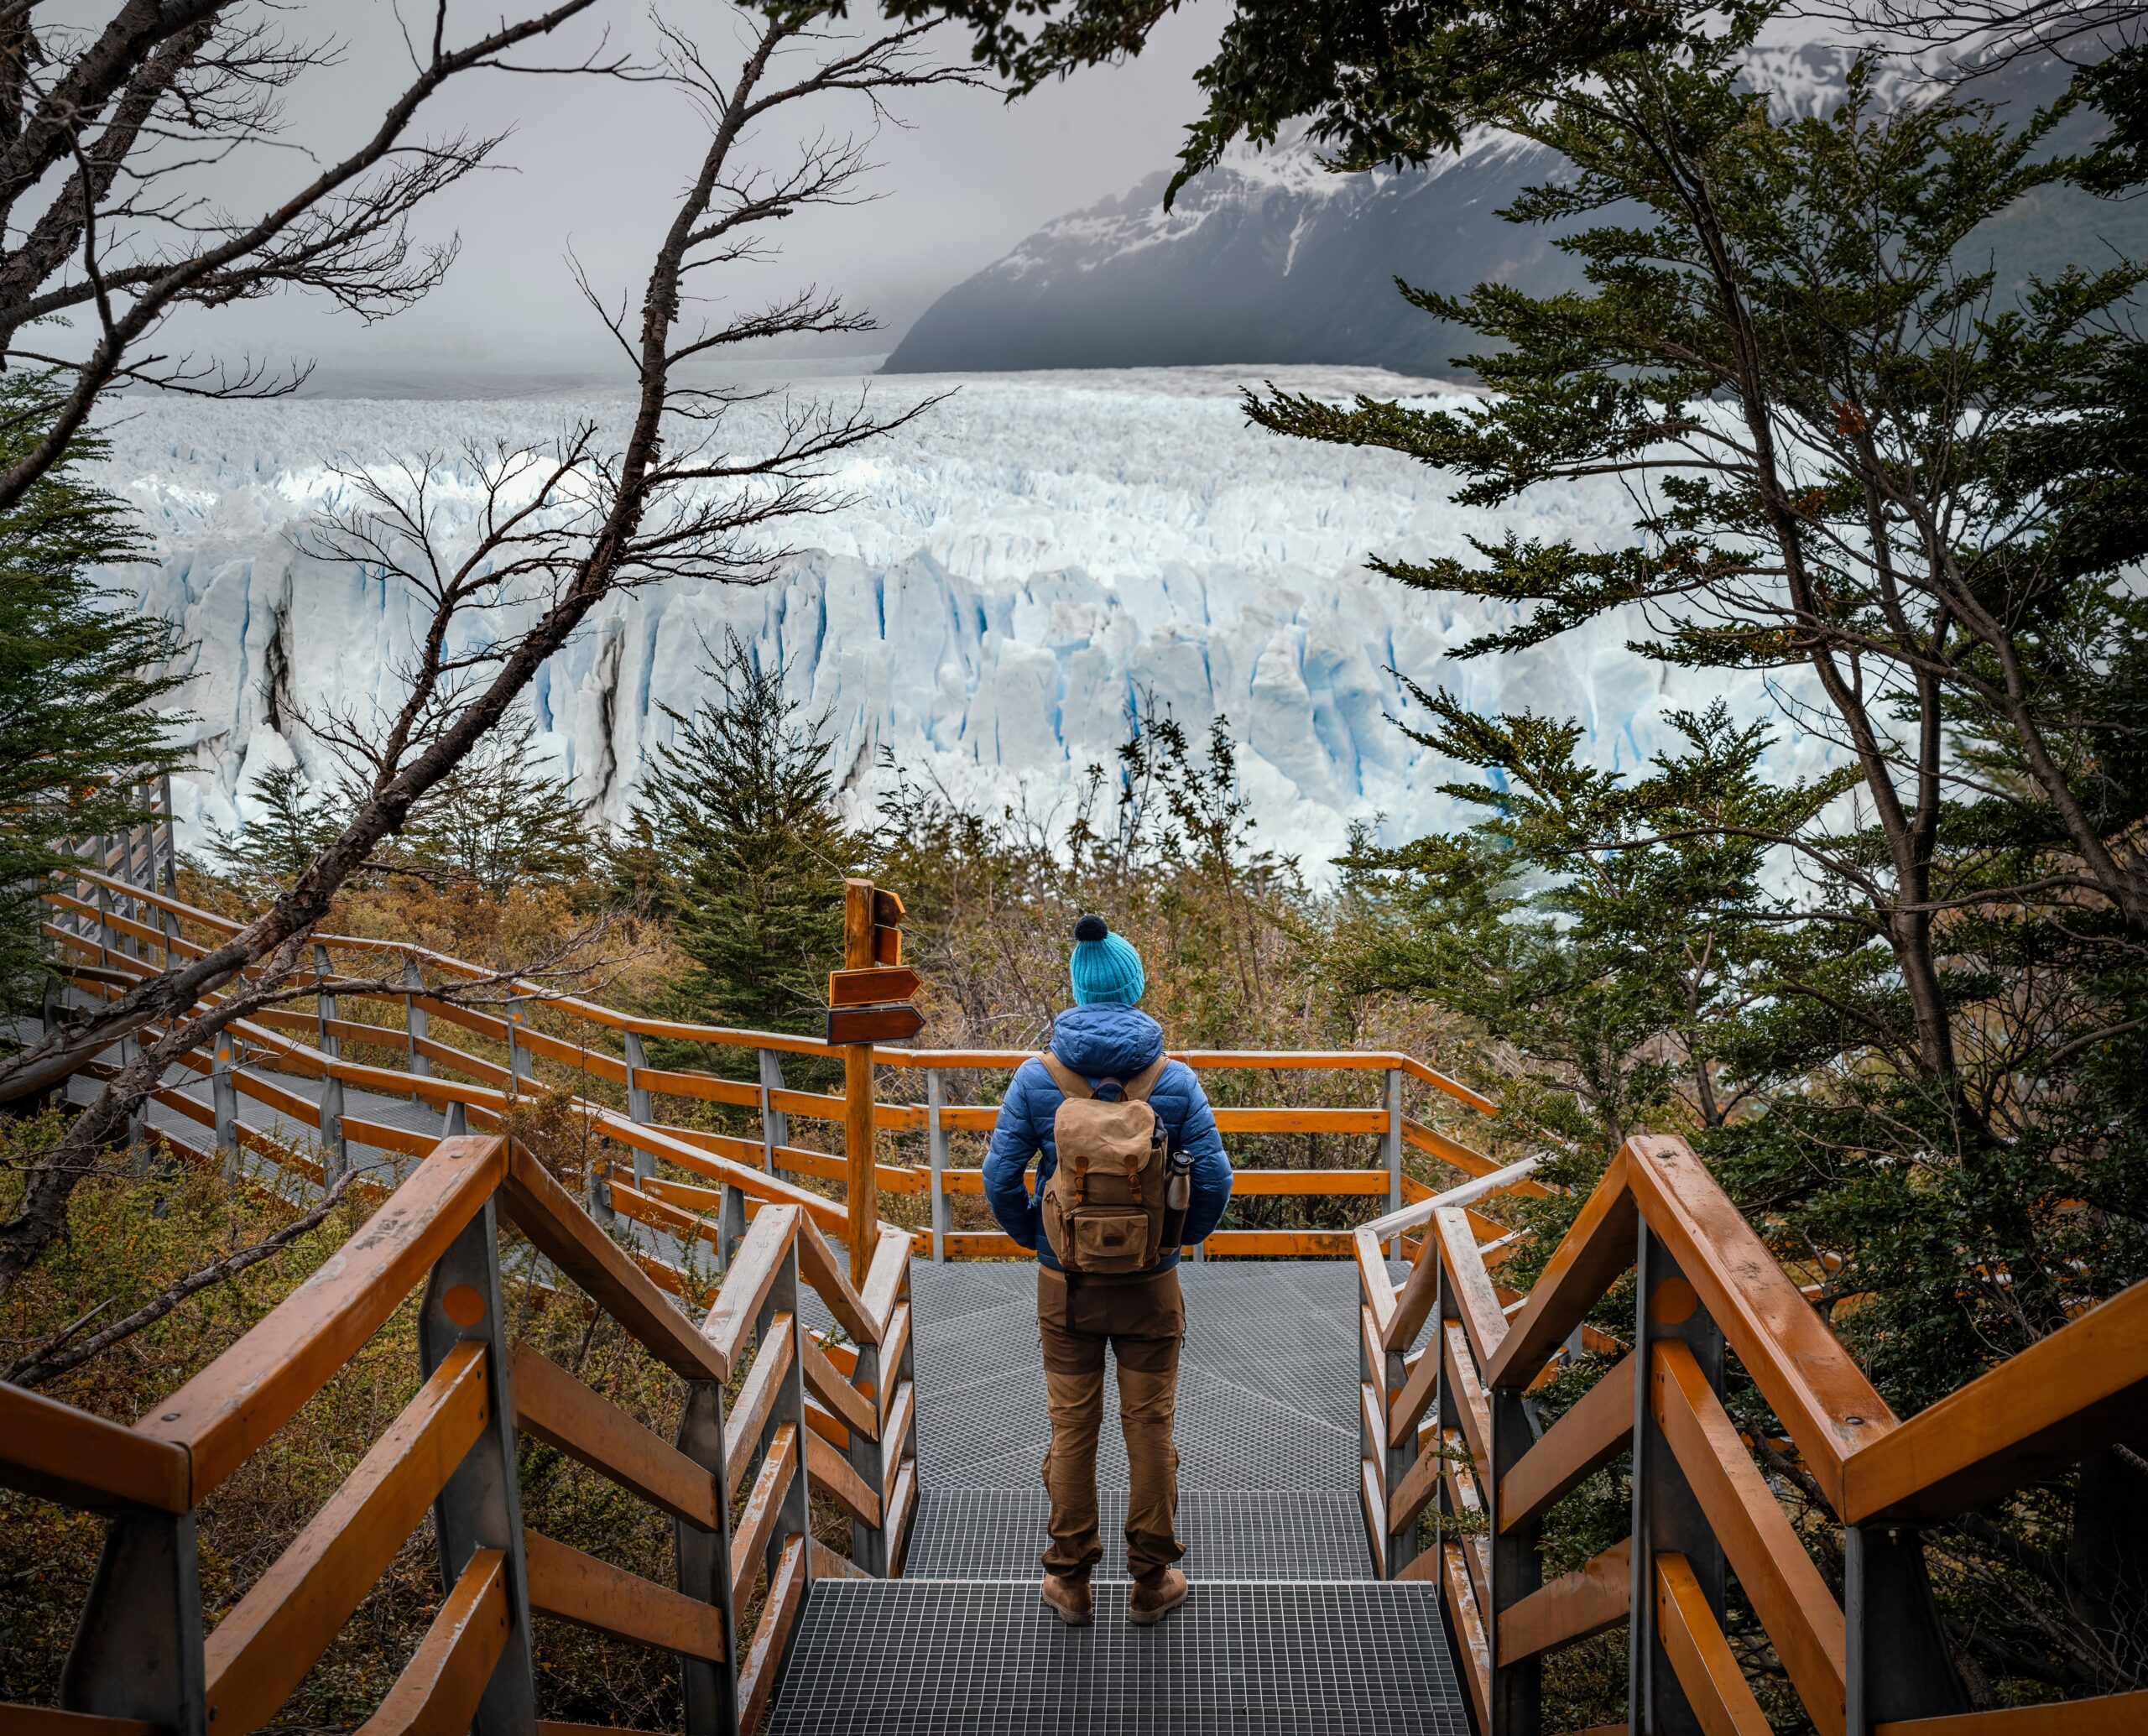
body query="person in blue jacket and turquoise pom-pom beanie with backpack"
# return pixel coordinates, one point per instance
(1129, 1172)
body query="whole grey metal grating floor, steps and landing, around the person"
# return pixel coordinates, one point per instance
(1286, 1630)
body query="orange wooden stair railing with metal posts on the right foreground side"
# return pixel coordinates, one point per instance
(1451, 1430)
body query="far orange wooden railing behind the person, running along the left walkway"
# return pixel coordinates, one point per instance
(121, 934)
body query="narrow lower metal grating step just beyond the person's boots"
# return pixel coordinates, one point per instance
(1002, 1533)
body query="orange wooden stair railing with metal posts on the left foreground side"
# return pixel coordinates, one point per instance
(809, 1415)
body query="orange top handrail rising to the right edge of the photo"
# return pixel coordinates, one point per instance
(2029, 1419)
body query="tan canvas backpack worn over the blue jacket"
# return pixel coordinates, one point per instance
(1105, 1202)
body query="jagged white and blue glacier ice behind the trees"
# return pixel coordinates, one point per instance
(1008, 577)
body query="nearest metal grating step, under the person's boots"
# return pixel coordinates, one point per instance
(920, 1658)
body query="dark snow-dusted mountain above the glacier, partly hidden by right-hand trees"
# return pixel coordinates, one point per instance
(1271, 259)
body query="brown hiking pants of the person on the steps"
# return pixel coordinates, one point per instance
(1144, 1322)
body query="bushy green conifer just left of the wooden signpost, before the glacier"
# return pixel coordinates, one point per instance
(742, 837)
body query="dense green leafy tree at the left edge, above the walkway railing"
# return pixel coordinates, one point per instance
(81, 680)
